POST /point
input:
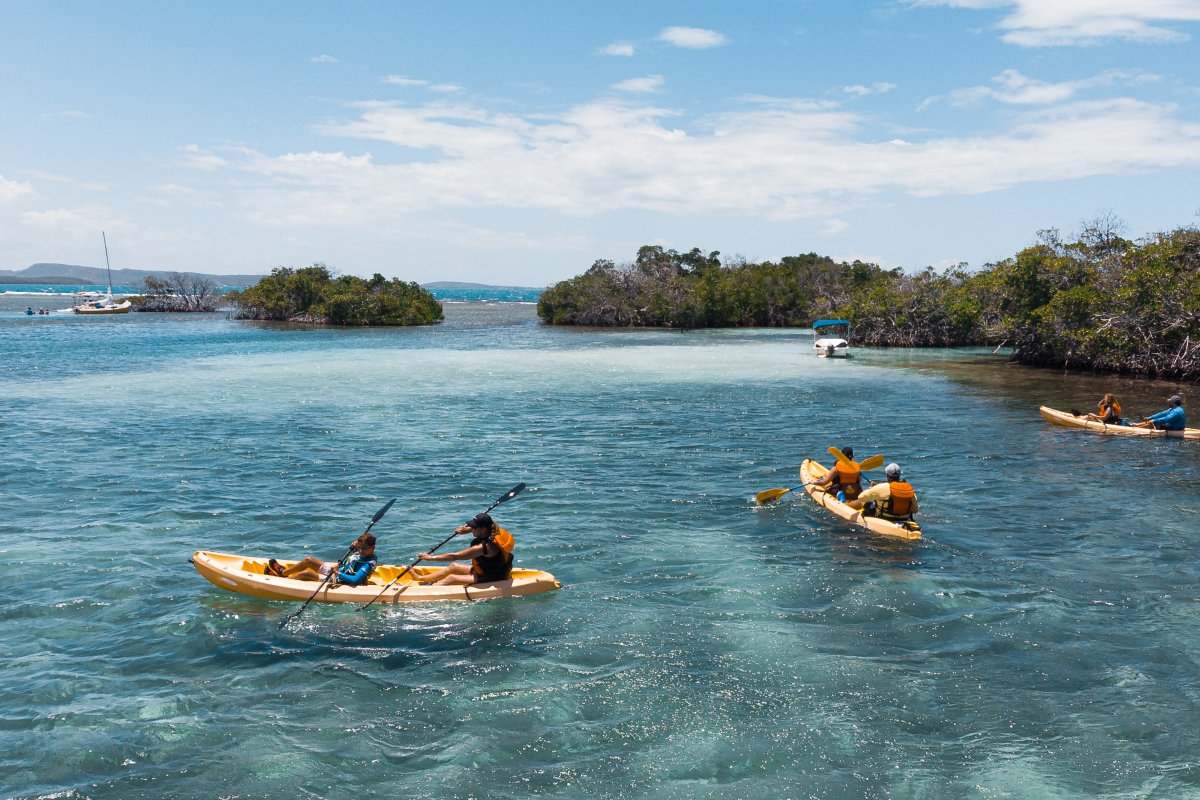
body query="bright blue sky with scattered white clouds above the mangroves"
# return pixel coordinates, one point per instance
(517, 143)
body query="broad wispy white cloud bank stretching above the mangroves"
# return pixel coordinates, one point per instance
(779, 159)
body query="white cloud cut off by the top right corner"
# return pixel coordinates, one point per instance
(1042, 23)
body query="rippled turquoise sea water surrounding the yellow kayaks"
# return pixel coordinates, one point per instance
(1040, 643)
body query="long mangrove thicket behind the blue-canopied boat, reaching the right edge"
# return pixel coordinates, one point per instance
(1100, 304)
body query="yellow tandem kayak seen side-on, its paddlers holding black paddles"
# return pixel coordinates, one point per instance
(248, 576)
